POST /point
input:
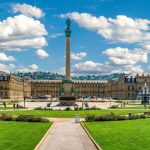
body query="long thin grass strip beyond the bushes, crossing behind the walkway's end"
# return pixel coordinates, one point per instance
(68, 114)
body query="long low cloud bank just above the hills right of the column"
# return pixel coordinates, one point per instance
(90, 67)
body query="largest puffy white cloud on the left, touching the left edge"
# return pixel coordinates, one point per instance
(21, 32)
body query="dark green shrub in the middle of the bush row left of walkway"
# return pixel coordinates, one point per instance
(28, 118)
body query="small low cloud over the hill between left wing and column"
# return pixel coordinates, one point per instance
(30, 68)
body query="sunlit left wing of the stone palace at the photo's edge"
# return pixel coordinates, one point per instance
(12, 87)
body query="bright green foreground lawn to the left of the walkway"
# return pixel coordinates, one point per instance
(21, 135)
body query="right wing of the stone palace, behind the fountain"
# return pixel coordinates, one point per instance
(127, 86)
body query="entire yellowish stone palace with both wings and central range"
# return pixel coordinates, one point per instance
(125, 87)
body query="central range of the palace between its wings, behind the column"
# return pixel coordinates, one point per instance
(41, 88)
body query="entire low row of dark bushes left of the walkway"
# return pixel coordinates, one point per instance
(23, 118)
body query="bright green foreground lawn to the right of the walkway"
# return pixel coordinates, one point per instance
(121, 135)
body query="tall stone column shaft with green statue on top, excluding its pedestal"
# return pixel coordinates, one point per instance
(68, 35)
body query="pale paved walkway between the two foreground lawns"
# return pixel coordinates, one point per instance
(67, 135)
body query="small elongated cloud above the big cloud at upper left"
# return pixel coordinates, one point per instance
(28, 10)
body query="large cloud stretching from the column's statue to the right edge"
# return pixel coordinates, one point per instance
(120, 29)
